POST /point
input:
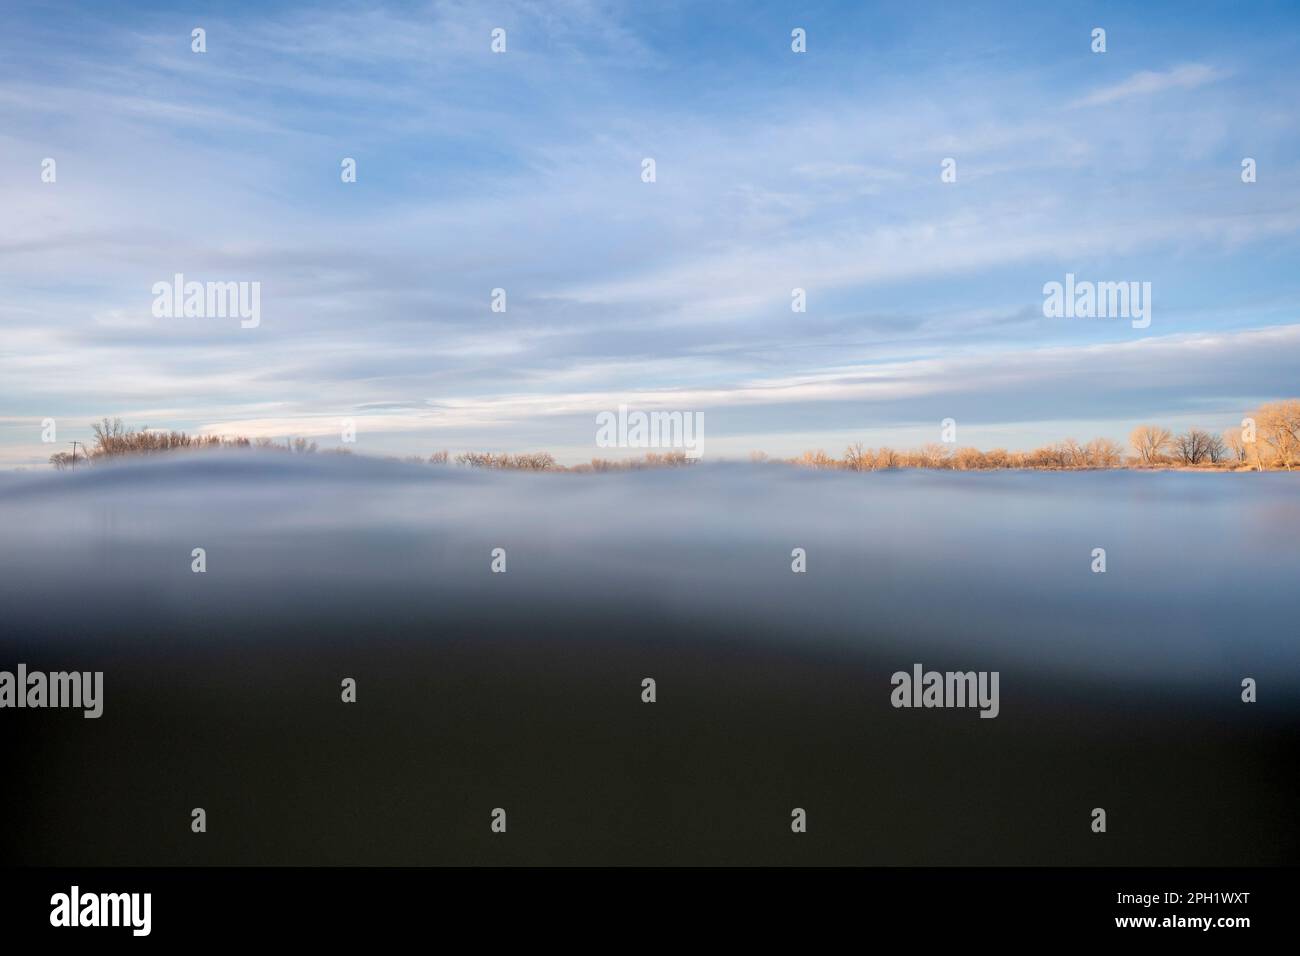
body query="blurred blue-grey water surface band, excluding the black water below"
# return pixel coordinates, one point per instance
(1202, 569)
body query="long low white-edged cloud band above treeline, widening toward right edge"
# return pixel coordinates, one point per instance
(1015, 386)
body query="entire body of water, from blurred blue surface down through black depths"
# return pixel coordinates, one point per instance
(523, 690)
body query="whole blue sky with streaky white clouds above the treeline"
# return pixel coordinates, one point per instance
(523, 171)
